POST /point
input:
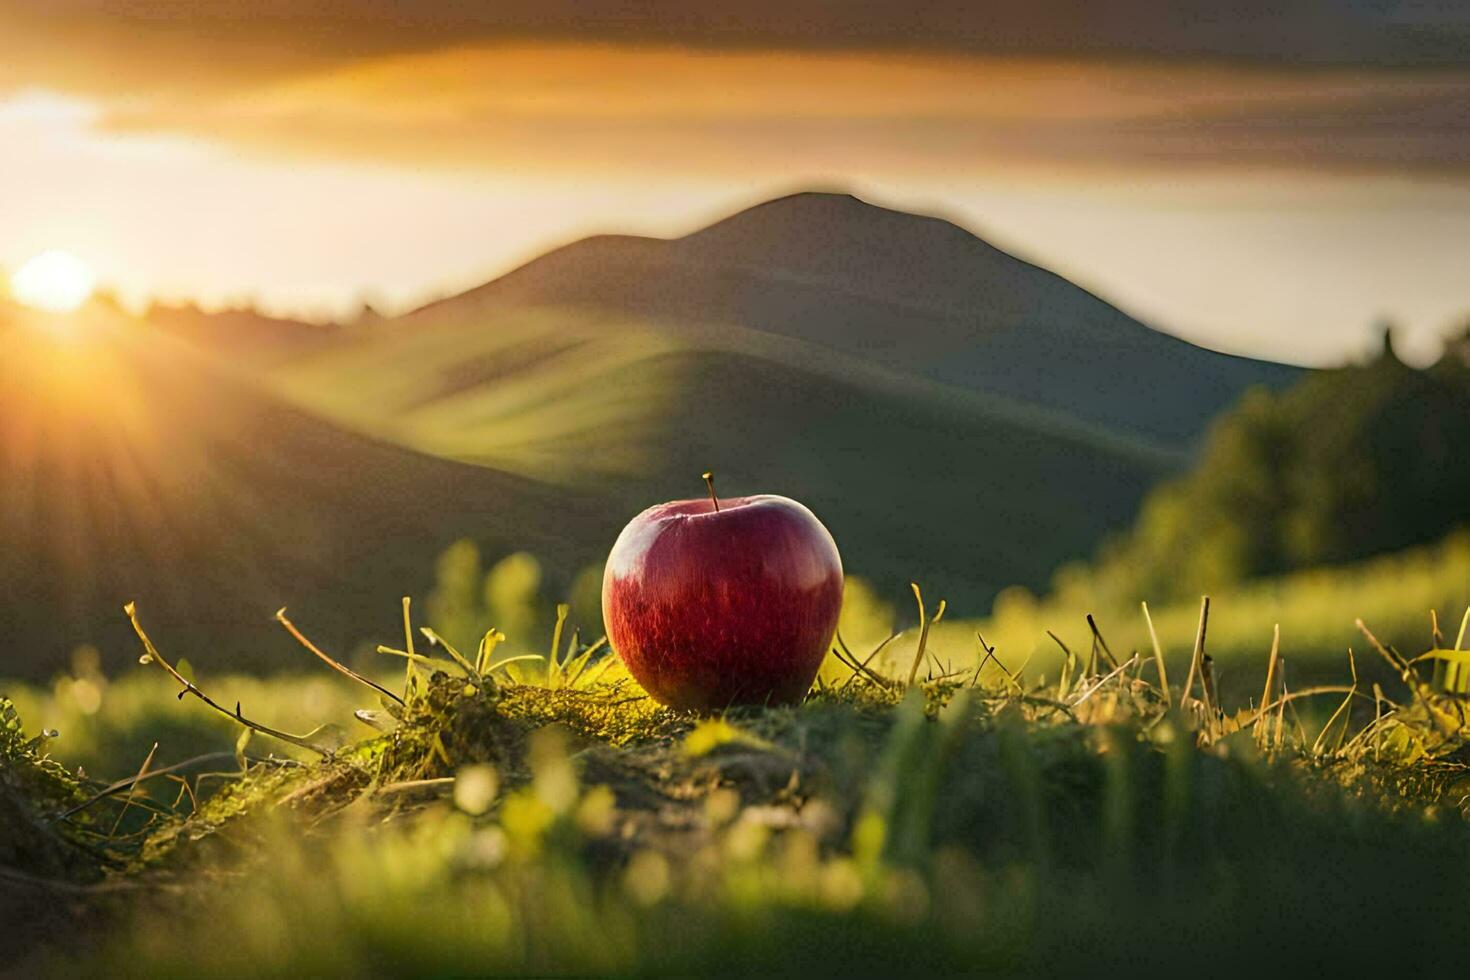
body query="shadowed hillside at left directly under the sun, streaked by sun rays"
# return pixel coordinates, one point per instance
(139, 469)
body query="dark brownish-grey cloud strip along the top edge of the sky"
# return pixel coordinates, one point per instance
(184, 43)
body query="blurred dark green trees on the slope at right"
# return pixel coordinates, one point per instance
(1346, 465)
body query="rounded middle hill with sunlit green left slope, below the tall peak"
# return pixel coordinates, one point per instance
(918, 481)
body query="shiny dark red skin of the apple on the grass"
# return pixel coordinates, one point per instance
(711, 610)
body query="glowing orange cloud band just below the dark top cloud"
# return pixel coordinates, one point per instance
(577, 108)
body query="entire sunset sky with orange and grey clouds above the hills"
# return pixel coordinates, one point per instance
(1268, 183)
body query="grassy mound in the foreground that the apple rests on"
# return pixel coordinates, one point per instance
(561, 824)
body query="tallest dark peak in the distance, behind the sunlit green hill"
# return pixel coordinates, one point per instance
(906, 292)
